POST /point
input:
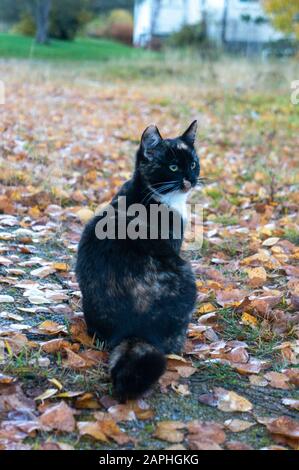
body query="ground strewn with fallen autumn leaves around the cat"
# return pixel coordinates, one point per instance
(68, 138)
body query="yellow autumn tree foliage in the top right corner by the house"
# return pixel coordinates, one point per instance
(284, 14)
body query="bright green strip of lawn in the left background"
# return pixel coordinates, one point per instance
(81, 49)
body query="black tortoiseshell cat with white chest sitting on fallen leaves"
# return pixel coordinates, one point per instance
(138, 295)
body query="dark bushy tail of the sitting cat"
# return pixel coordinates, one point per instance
(135, 366)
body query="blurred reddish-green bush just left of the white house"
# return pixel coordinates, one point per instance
(117, 25)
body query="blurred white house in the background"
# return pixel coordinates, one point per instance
(229, 21)
